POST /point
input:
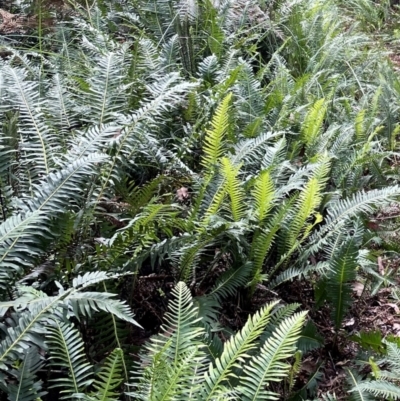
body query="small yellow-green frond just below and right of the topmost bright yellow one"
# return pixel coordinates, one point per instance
(233, 188)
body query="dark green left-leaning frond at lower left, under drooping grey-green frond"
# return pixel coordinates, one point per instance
(66, 349)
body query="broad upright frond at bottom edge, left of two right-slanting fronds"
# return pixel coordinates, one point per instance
(174, 361)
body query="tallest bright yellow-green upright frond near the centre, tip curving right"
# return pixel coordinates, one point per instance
(214, 140)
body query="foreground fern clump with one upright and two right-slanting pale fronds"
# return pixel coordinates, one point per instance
(176, 364)
